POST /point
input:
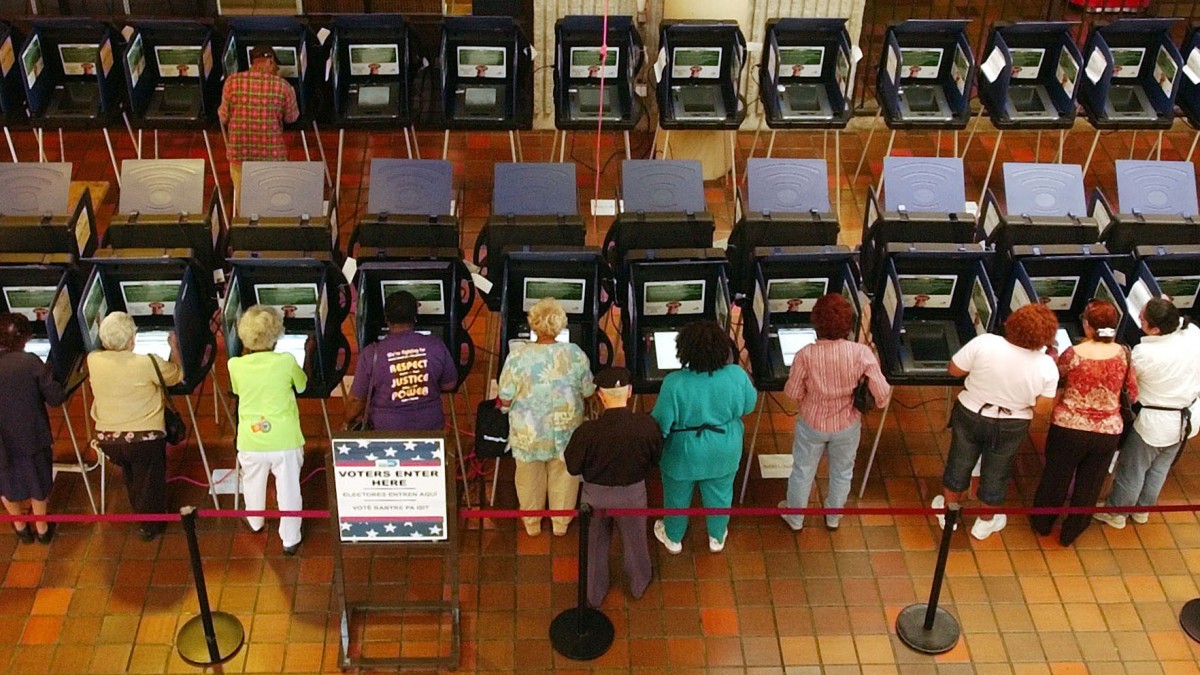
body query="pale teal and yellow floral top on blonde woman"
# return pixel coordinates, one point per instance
(547, 385)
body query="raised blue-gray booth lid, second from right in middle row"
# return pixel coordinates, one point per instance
(1045, 190)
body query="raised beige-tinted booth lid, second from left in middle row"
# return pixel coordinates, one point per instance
(163, 187)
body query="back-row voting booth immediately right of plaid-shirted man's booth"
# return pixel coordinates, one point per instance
(371, 68)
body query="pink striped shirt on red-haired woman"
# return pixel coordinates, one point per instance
(823, 383)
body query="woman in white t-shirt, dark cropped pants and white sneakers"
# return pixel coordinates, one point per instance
(1006, 378)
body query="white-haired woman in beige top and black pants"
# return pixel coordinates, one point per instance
(128, 414)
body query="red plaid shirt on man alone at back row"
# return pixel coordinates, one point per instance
(256, 105)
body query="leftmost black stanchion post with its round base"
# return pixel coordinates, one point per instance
(211, 637)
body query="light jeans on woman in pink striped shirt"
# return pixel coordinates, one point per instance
(808, 446)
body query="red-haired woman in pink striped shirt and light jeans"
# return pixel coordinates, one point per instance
(823, 384)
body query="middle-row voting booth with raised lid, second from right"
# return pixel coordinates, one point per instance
(1046, 205)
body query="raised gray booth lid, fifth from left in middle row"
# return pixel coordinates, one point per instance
(535, 189)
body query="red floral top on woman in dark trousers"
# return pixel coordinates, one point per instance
(1091, 401)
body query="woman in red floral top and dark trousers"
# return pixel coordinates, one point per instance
(1087, 422)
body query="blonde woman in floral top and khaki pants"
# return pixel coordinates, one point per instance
(544, 384)
